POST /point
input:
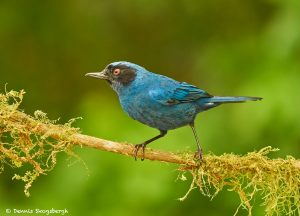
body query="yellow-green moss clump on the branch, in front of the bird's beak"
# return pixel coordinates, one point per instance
(30, 153)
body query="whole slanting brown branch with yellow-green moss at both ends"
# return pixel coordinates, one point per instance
(36, 140)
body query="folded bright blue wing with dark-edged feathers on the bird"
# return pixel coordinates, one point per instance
(179, 93)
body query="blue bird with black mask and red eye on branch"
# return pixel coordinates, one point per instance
(159, 101)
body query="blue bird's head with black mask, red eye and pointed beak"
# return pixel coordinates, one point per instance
(118, 74)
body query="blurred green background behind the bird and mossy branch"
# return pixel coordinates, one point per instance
(231, 47)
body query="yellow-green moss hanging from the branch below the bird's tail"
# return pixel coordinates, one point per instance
(277, 181)
